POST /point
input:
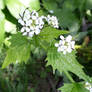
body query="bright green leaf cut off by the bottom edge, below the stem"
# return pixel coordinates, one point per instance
(74, 87)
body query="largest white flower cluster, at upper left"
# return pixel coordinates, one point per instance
(31, 22)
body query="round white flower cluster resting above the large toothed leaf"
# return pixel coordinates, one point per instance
(65, 44)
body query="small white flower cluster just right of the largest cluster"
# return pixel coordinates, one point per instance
(53, 21)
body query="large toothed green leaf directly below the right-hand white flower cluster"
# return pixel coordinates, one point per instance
(64, 63)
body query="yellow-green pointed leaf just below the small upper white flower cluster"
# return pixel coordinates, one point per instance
(49, 33)
